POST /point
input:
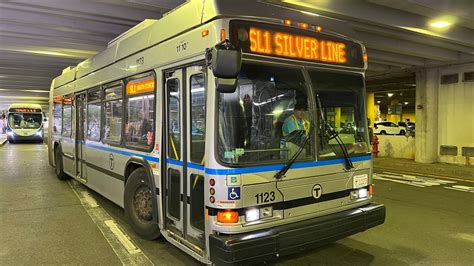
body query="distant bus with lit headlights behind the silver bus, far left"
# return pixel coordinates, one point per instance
(25, 123)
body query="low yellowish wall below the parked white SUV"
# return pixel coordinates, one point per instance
(396, 146)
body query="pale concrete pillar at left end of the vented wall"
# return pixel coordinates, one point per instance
(426, 139)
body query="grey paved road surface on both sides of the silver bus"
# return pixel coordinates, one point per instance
(429, 221)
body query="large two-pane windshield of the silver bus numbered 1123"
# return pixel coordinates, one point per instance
(267, 118)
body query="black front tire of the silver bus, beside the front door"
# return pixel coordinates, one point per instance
(138, 205)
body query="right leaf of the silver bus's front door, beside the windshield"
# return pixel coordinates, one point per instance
(196, 135)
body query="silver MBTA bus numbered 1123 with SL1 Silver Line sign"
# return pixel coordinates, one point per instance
(237, 133)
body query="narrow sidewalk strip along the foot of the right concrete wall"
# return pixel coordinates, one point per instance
(438, 169)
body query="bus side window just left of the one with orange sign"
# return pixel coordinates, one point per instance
(113, 114)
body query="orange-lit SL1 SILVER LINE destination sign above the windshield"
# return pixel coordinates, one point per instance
(294, 43)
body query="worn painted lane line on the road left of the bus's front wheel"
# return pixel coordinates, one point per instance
(127, 252)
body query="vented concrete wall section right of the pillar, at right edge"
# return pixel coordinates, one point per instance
(456, 113)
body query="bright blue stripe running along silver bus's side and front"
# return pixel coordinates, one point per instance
(246, 170)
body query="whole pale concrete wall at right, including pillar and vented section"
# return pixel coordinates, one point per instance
(444, 114)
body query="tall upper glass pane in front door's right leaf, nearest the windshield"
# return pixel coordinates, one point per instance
(198, 118)
